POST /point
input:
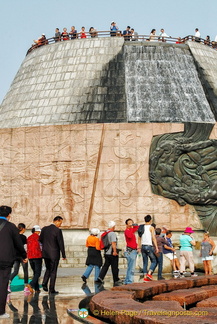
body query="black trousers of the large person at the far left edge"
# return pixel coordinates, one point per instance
(4, 280)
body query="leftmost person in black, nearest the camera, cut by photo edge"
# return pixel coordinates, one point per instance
(10, 241)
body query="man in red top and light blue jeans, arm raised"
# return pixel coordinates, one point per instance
(131, 249)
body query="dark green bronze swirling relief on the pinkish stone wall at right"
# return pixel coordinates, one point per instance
(184, 169)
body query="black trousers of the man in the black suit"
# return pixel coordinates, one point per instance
(50, 273)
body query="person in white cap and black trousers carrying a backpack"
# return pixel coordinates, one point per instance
(109, 244)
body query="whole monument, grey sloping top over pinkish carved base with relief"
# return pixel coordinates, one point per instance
(101, 129)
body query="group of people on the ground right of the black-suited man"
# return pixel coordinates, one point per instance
(153, 244)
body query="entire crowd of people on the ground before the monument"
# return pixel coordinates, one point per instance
(47, 243)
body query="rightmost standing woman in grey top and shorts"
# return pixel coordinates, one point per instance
(207, 248)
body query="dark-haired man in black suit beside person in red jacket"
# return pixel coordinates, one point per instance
(52, 244)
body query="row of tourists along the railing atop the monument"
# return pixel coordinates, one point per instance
(129, 34)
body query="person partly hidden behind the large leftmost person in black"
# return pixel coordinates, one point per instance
(21, 229)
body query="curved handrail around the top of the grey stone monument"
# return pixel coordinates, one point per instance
(118, 33)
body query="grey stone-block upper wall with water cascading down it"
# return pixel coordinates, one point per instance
(104, 80)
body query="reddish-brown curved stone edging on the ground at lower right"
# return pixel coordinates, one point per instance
(121, 305)
